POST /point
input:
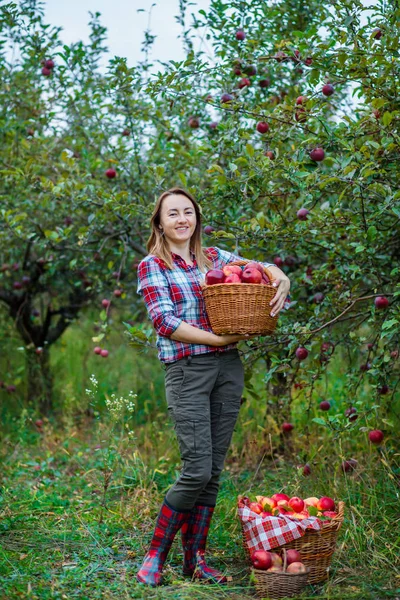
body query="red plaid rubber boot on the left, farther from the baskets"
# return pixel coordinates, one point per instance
(168, 523)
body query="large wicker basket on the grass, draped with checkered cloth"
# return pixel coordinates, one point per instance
(316, 547)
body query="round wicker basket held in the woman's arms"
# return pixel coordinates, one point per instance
(240, 307)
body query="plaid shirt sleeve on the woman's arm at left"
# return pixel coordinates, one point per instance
(153, 286)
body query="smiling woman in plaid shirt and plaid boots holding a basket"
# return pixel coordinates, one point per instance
(203, 380)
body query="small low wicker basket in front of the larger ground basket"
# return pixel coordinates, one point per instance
(279, 585)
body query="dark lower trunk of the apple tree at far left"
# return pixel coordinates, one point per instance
(40, 380)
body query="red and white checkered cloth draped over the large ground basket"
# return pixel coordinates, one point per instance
(266, 533)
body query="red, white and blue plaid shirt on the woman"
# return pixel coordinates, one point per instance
(173, 296)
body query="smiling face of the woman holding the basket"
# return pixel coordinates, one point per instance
(178, 219)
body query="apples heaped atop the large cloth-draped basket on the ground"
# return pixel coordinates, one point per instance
(281, 504)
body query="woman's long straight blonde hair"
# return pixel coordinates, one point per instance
(158, 245)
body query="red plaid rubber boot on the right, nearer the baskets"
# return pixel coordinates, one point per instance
(194, 539)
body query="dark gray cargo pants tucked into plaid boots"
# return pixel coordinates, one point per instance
(203, 396)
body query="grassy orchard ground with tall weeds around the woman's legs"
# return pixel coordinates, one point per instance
(78, 500)
